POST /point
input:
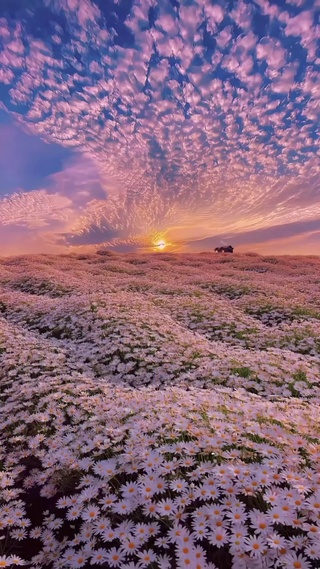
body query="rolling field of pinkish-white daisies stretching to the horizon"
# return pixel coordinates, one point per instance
(160, 411)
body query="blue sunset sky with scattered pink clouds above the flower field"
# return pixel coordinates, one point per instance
(148, 125)
